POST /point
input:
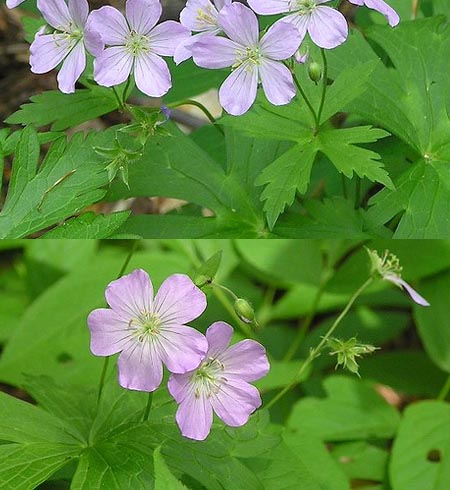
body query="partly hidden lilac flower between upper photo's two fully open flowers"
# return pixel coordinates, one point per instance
(199, 16)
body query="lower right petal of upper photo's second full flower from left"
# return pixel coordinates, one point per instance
(152, 75)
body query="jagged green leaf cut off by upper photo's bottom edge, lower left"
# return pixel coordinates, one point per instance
(89, 225)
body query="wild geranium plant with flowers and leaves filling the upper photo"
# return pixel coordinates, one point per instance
(310, 128)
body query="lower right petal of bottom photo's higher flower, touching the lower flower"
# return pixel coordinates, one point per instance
(181, 348)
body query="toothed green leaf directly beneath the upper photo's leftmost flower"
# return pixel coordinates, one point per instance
(64, 111)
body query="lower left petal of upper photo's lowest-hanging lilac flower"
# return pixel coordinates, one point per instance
(238, 91)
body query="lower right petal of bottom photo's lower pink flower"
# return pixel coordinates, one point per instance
(235, 402)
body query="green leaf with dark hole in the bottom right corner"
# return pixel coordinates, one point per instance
(421, 452)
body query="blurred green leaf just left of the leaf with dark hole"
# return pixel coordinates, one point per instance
(352, 410)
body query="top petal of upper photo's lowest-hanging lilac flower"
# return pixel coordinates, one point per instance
(240, 24)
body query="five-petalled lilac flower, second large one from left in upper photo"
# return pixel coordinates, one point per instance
(135, 44)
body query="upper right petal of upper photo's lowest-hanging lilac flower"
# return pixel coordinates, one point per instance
(281, 41)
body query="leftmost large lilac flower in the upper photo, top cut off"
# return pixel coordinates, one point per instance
(67, 44)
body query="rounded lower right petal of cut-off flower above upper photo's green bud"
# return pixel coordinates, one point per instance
(327, 27)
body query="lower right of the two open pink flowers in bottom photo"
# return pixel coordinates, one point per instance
(219, 384)
